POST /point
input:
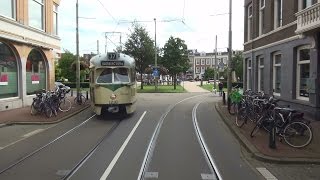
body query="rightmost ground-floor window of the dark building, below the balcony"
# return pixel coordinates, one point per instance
(303, 73)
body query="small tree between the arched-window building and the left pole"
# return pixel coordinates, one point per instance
(65, 63)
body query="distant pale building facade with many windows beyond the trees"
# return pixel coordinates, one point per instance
(199, 62)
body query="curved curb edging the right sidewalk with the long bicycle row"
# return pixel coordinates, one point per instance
(255, 152)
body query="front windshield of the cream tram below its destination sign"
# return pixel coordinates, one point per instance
(121, 75)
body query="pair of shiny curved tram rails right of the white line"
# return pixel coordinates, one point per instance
(151, 146)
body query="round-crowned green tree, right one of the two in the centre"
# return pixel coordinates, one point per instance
(175, 57)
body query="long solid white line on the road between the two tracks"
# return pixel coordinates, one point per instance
(116, 157)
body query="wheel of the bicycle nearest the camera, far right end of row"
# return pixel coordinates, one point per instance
(297, 134)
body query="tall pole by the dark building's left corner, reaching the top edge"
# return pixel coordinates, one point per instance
(229, 84)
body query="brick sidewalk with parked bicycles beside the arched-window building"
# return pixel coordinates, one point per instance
(23, 115)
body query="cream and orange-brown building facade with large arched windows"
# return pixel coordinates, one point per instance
(29, 45)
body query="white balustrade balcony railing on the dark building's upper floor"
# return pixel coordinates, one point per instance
(308, 19)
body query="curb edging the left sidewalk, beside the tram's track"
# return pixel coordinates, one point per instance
(51, 122)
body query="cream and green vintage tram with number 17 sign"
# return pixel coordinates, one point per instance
(113, 83)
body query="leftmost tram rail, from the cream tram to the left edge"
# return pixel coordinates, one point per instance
(33, 153)
